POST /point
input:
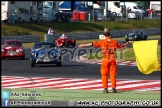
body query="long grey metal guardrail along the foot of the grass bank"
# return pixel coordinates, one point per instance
(82, 35)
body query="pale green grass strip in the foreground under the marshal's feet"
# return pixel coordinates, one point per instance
(92, 95)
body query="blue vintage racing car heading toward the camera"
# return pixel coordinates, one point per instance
(45, 53)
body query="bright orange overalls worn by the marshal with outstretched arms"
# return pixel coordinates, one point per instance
(108, 47)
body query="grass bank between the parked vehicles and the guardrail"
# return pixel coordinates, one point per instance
(41, 28)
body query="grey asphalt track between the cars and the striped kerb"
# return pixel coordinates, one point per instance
(70, 68)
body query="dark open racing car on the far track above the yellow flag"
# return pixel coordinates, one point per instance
(136, 36)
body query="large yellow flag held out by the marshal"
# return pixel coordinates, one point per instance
(146, 56)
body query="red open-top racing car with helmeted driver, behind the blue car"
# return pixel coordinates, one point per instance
(65, 40)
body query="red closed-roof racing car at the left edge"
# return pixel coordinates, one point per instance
(12, 49)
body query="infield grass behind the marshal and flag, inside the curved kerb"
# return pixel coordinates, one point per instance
(125, 54)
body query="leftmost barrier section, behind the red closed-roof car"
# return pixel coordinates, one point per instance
(23, 38)
